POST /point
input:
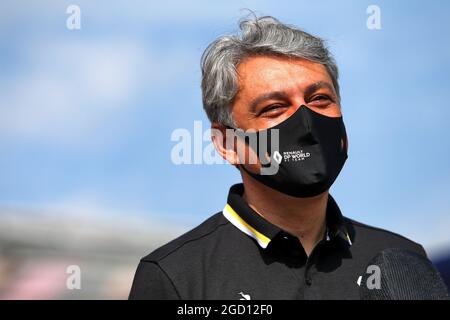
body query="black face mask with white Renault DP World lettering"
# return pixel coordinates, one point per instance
(311, 152)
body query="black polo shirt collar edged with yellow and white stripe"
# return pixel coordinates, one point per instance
(241, 215)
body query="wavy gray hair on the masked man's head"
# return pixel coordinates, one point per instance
(258, 36)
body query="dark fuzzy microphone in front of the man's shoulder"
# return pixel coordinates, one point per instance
(400, 274)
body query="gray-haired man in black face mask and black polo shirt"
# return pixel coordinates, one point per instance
(281, 235)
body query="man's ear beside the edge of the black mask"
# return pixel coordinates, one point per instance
(224, 142)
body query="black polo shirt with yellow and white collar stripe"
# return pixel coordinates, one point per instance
(237, 254)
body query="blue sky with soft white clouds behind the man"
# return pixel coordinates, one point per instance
(87, 115)
